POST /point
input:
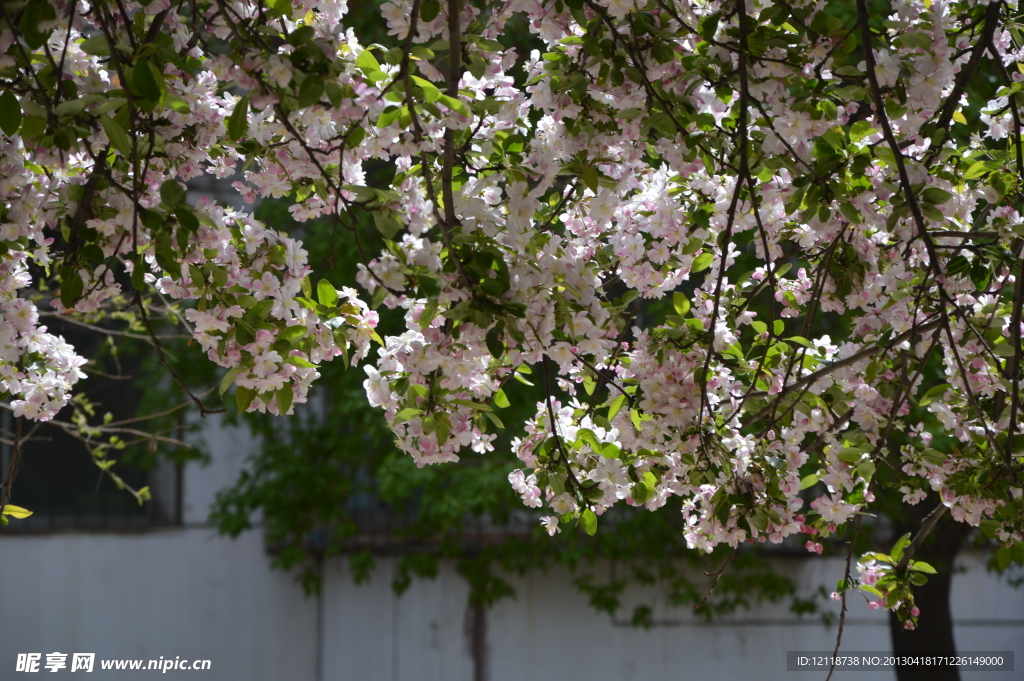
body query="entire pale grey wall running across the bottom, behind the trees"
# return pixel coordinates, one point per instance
(189, 593)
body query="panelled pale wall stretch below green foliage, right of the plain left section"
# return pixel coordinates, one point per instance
(550, 632)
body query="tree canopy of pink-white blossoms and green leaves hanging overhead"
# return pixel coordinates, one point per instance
(765, 171)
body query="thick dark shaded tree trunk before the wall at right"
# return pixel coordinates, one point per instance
(935, 627)
